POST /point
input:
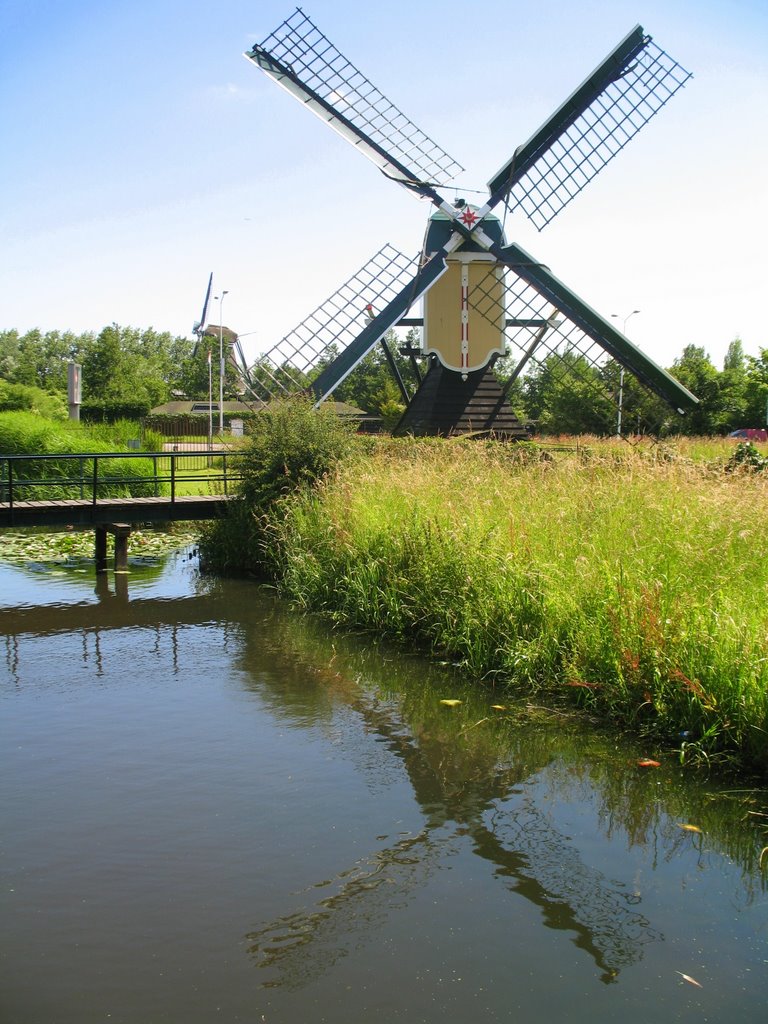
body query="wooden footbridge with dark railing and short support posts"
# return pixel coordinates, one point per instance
(113, 493)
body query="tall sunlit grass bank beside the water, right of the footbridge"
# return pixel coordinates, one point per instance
(632, 584)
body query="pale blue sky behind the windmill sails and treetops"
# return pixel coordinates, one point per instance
(143, 152)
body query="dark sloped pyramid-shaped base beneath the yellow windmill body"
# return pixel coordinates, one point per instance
(446, 405)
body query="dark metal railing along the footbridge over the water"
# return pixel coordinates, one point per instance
(96, 477)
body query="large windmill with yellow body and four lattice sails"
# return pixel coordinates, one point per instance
(484, 297)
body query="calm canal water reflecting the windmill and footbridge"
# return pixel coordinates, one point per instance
(214, 809)
